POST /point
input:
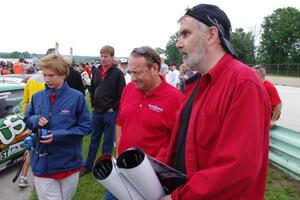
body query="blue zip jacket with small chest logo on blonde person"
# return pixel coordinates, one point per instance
(68, 120)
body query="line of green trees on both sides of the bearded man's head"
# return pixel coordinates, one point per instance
(279, 41)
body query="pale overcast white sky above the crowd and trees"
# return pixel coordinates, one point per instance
(87, 25)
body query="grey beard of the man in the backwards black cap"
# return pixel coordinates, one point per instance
(194, 59)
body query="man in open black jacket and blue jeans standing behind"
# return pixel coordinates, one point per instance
(106, 89)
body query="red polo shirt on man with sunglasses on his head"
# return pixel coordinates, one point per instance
(147, 120)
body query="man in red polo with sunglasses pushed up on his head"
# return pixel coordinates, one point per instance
(148, 105)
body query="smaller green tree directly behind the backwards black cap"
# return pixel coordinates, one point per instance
(244, 45)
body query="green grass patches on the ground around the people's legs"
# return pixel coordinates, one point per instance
(279, 185)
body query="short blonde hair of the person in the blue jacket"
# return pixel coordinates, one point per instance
(56, 63)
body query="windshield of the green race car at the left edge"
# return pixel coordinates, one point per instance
(10, 102)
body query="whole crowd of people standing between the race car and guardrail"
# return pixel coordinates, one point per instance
(208, 118)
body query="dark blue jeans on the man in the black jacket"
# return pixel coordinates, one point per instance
(101, 123)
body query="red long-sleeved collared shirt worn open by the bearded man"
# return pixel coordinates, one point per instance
(227, 141)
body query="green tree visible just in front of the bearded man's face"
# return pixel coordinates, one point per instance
(172, 52)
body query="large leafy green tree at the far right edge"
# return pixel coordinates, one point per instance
(280, 39)
